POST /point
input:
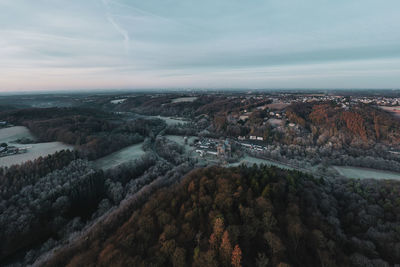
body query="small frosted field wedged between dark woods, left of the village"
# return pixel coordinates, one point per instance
(124, 155)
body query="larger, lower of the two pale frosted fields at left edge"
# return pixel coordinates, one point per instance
(34, 151)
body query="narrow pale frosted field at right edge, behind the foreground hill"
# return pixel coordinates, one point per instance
(365, 173)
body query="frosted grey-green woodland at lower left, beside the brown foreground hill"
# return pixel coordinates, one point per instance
(45, 201)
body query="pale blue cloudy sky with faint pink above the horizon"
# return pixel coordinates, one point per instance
(171, 44)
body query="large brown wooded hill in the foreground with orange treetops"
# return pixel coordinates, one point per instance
(250, 217)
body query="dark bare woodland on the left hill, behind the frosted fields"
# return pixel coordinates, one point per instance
(94, 132)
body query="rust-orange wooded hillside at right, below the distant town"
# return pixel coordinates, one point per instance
(355, 125)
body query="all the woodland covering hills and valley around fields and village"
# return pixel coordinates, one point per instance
(166, 209)
